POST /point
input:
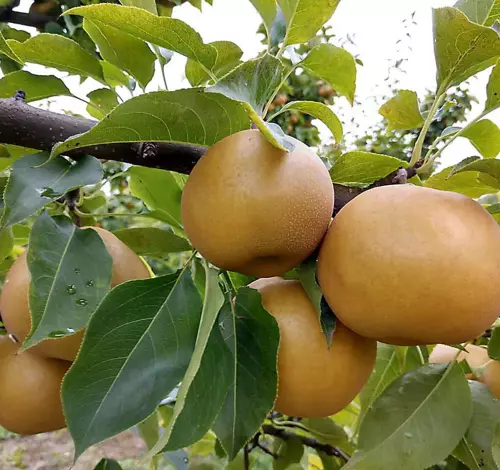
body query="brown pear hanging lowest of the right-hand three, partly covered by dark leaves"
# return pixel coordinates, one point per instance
(314, 380)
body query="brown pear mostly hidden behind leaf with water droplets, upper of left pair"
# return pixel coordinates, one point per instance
(14, 305)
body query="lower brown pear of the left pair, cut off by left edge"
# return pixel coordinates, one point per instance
(30, 390)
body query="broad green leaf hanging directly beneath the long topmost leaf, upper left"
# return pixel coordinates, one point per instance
(123, 50)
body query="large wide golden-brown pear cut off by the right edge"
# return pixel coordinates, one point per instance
(410, 265)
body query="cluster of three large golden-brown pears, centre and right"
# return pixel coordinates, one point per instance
(402, 264)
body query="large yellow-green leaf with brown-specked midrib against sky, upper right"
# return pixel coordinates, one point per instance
(462, 48)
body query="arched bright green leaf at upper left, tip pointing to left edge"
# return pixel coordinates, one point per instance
(53, 50)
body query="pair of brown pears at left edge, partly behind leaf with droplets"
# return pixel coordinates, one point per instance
(30, 380)
